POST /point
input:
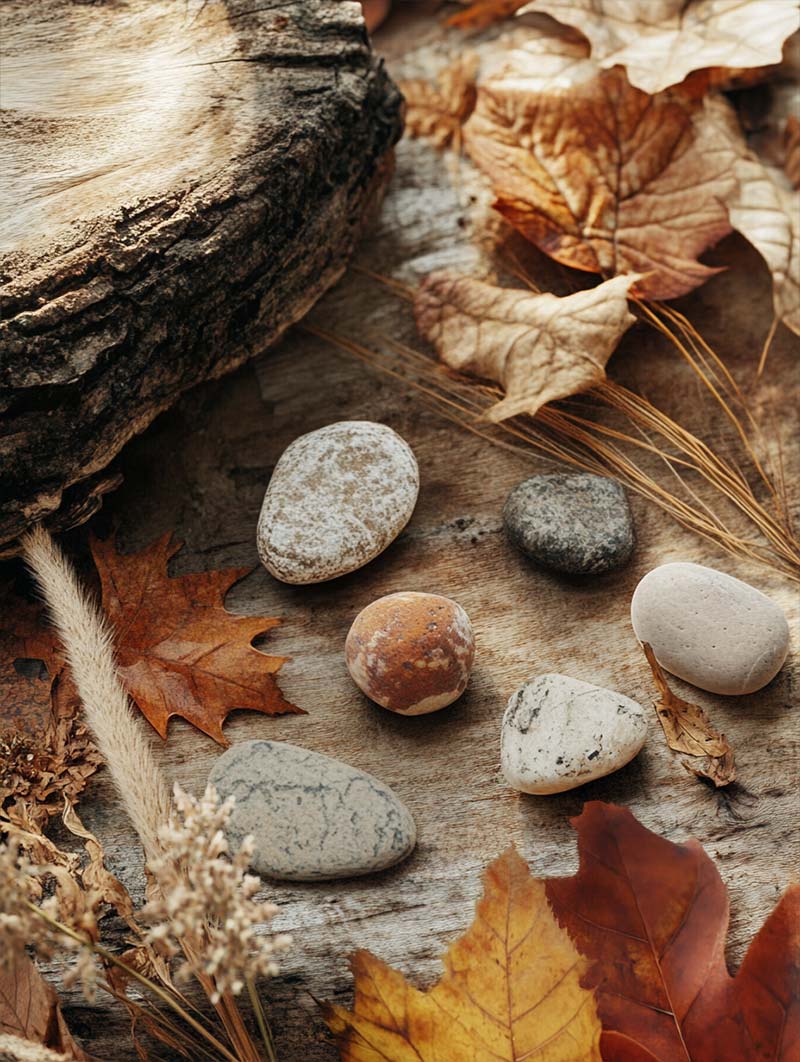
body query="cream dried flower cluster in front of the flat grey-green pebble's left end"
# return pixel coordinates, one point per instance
(208, 901)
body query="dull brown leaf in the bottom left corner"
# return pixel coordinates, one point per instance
(29, 1009)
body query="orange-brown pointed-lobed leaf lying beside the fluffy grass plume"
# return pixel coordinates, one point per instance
(180, 653)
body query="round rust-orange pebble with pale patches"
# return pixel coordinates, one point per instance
(412, 653)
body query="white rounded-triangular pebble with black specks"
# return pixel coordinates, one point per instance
(559, 733)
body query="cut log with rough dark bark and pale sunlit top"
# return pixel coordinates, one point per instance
(184, 180)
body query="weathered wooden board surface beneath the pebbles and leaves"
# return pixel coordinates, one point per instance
(202, 469)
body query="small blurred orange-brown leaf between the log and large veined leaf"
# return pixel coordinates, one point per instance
(436, 111)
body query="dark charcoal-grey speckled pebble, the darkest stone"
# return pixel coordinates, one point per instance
(576, 525)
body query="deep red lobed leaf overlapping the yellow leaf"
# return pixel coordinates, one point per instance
(653, 916)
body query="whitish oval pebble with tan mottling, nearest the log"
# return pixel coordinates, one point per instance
(337, 499)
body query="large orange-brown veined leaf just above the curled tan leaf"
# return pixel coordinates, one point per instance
(601, 176)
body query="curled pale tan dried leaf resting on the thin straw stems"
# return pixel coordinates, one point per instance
(539, 348)
